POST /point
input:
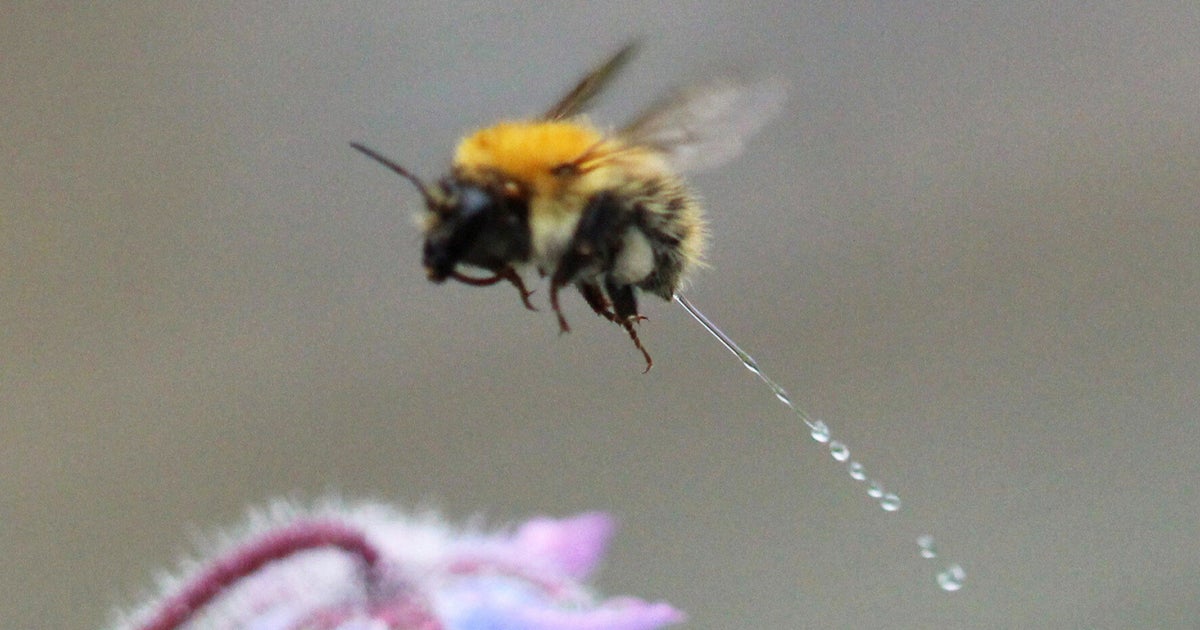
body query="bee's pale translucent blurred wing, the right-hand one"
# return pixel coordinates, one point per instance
(707, 125)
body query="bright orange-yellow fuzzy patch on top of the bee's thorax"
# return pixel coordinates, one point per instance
(529, 152)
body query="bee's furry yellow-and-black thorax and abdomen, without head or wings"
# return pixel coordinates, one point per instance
(647, 226)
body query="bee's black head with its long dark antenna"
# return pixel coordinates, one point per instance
(481, 224)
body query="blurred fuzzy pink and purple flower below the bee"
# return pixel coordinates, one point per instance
(370, 568)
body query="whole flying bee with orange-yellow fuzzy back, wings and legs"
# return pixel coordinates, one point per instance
(607, 213)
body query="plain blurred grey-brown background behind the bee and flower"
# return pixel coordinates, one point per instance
(971, 244)
